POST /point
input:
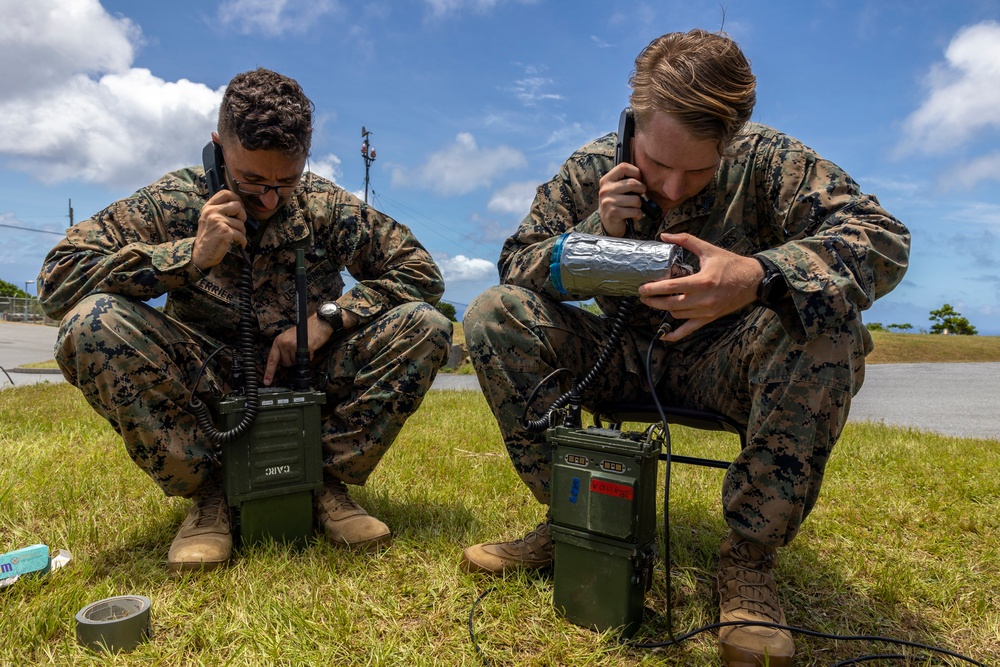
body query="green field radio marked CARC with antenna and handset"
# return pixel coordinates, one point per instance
(268, 438)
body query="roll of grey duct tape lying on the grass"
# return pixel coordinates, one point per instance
(114, 624)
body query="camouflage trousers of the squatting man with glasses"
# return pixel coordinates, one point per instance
(136, 367)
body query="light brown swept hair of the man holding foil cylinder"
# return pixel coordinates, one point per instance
(701, 78)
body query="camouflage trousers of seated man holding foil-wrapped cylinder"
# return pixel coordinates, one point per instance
(794, 398)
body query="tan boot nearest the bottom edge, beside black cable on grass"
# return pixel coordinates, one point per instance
(747, 592)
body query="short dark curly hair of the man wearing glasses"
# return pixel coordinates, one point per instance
(265, 110)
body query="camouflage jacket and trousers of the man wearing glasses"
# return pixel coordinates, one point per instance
(138, 366)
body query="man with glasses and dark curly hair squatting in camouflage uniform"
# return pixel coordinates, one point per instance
(222, 246)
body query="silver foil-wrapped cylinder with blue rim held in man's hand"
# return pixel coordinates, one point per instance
(586, 265)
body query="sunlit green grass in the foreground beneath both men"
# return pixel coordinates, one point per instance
(904, 543)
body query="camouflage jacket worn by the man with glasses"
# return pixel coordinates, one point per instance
(141, 247)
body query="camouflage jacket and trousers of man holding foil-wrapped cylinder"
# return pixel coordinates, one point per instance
(788, 374)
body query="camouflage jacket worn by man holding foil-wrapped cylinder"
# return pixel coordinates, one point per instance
(837, 248)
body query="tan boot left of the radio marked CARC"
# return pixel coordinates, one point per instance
(205, 538)
